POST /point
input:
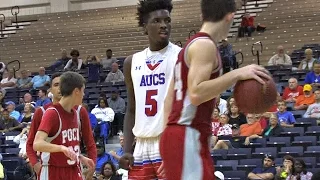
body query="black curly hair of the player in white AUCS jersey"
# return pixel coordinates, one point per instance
(147, 6)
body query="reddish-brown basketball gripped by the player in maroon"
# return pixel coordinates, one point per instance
(253, 97)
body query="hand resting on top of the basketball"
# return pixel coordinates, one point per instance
(254, 71)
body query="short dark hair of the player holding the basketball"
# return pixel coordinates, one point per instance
(215, 10)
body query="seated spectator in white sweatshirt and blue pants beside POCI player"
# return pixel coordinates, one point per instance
(105, 116)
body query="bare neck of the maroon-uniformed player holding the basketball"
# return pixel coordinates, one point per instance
(213, 30)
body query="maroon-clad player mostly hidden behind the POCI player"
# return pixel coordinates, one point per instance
(36, 120)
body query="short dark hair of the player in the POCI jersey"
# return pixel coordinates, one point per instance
(70, 81)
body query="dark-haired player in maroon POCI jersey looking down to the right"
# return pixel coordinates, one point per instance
(58, 136)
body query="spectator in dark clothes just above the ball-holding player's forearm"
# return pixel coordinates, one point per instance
(227, 56)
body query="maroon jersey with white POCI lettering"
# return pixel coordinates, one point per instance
(62, 128)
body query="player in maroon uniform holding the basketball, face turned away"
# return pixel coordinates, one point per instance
(184, 144)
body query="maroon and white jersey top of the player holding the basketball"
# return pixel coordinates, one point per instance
(183, 112)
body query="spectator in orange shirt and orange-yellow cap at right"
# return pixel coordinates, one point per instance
(303, 101)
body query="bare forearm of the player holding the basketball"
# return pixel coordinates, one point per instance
(210, 89)
